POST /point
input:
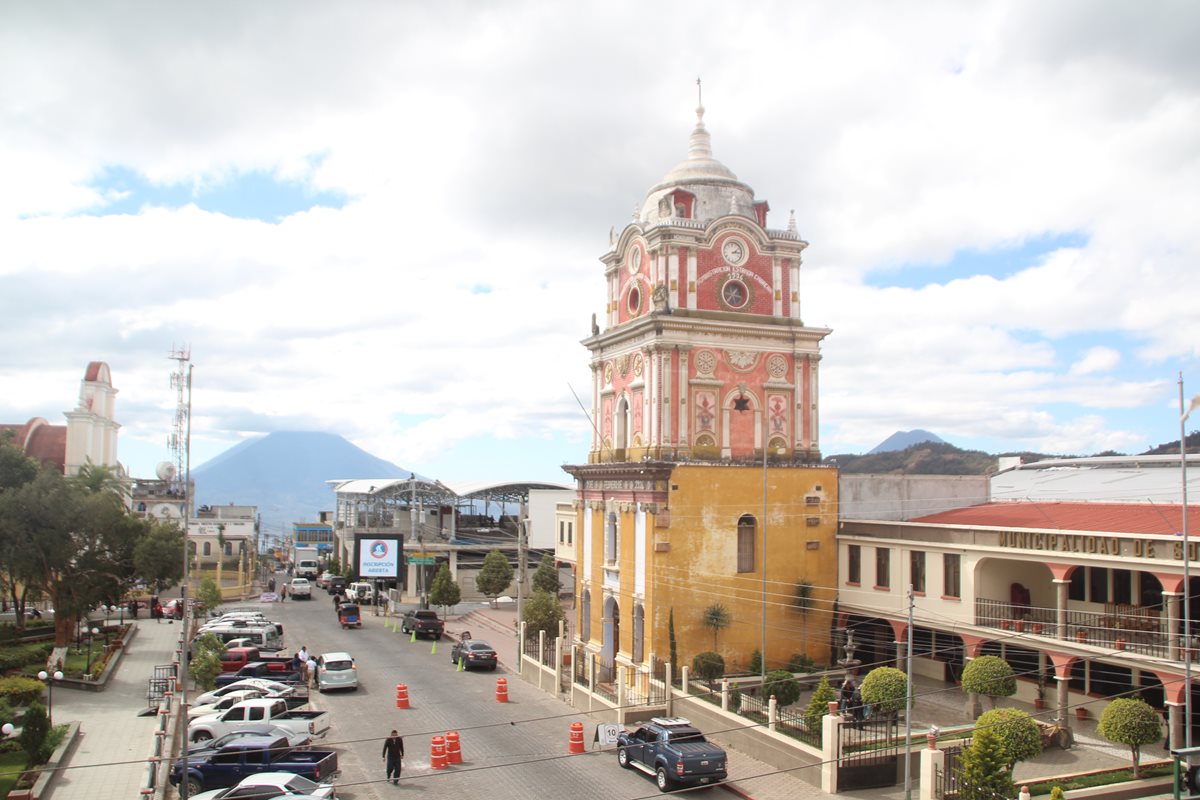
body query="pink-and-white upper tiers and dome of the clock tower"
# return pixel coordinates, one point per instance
(704, 356)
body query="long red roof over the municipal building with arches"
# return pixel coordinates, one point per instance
(1100, 518)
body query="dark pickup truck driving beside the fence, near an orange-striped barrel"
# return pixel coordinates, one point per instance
(674, 753)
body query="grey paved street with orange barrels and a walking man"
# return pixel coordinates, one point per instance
(509, 750)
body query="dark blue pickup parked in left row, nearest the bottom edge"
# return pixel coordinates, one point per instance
(249, 756)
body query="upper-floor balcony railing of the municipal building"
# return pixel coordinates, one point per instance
(1136, 629)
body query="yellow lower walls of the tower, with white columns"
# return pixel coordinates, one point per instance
(692, 564)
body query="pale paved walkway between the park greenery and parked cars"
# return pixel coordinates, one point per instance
(109, 760)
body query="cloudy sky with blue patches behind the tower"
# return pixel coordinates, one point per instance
(383, 220)
